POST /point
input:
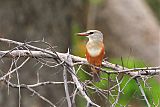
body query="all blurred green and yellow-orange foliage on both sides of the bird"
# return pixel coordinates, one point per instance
(131, 91)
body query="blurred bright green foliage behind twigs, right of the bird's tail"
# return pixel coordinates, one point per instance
(131, 92)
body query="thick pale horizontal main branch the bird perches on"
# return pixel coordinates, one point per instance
(119, 69)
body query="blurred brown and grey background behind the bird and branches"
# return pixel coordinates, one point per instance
(131, 30)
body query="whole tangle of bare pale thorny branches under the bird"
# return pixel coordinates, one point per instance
(68, 62)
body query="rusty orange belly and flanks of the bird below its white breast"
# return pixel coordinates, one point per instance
(96, 60)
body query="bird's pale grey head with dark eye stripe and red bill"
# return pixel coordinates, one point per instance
(93, 35)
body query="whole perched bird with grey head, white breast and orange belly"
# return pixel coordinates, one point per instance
(95, 51)
